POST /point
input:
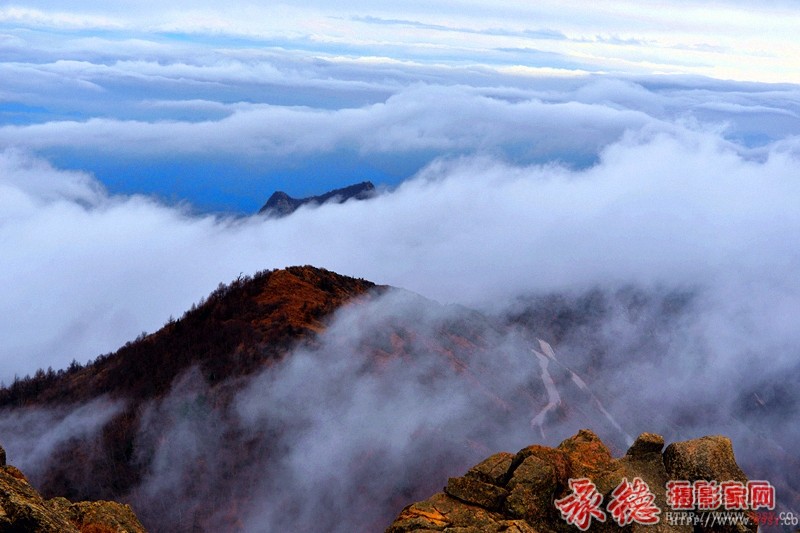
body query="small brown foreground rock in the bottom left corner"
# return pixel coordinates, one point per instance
(23, 509)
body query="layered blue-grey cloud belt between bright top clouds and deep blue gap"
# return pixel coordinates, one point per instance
(267, 105)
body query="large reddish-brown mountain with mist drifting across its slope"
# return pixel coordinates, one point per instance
(303, 400)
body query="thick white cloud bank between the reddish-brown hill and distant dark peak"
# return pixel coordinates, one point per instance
(87, 271)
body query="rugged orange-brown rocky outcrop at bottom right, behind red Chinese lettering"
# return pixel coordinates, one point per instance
(517, 493)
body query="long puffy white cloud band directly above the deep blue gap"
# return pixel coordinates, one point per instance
(421, 118)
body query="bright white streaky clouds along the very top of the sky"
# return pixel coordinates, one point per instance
(723, 39)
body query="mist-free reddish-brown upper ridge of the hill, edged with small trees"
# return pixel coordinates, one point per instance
(239, 328)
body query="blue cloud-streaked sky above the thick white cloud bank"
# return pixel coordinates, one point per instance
(220, 107)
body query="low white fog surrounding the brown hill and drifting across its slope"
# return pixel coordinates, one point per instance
(676, 213)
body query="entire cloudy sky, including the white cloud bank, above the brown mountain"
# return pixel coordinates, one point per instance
(519, 150)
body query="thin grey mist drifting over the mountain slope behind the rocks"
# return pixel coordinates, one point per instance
(343, 435)
